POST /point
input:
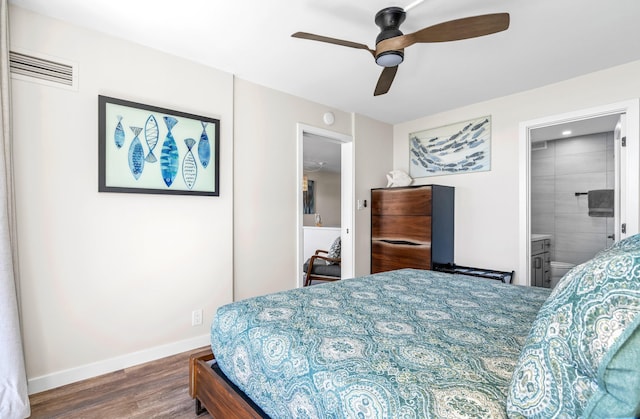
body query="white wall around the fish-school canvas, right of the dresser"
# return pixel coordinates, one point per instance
(487, 215)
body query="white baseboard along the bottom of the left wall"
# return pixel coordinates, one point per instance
(60, 378)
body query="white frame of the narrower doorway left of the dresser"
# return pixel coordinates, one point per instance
(347, 217)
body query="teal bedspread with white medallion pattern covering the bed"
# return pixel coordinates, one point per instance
(400, 344)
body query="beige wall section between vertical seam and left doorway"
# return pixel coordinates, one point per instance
(265, 185)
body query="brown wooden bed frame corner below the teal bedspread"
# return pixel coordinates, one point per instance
(213, 393)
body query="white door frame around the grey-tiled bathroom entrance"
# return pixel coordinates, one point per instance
(631, 161)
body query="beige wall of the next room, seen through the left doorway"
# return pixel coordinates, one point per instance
(327, 190)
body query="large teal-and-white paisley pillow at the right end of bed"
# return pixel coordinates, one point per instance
(582, 356)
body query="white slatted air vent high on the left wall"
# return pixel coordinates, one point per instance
(42, 70)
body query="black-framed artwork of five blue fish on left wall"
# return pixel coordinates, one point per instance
(147, 149)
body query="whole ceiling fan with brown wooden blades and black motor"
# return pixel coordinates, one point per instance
(391, 42)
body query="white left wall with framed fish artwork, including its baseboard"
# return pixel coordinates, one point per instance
(111, 279)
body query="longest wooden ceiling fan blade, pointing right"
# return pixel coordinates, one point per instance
(453, 30)
